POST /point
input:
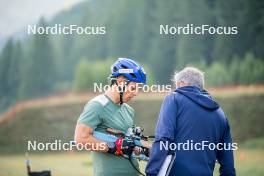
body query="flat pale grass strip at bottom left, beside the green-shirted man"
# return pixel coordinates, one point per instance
(60, 164)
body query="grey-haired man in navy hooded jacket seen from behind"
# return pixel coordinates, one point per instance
(195, 123)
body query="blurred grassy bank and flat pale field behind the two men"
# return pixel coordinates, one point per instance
(52, 118)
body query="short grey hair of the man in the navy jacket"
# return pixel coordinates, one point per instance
(191, 76)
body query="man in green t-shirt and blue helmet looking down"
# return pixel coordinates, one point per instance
(109, 110)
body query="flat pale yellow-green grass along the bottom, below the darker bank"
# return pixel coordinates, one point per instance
(247, 161)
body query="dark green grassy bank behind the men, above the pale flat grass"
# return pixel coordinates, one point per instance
(48, 123)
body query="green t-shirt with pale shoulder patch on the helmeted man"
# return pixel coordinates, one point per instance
(101, 113)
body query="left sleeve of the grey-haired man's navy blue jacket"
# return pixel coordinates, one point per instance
(165, 133)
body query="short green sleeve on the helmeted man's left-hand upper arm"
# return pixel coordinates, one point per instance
(91, 115)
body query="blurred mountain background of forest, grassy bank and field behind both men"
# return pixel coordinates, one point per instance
(45, 80)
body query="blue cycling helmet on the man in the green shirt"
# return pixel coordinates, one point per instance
(129, 69)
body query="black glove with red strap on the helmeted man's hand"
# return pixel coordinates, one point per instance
(121, 146)
